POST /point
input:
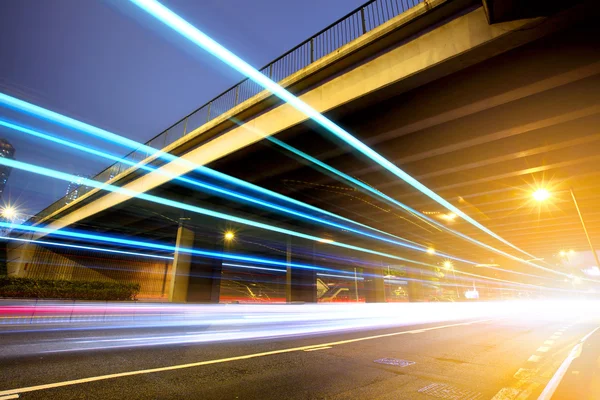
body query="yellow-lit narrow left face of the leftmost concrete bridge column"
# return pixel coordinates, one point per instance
(179, 284)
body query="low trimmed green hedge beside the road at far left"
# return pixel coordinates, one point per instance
(61, 289)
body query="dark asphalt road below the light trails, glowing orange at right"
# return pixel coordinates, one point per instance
(501, 358)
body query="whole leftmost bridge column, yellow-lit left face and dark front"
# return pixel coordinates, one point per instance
(195, 279)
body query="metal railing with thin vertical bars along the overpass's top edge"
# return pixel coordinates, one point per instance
(358, 22)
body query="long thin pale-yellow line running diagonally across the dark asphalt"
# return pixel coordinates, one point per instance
(217, 361)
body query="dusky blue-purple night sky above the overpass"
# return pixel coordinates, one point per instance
(109, 64)
